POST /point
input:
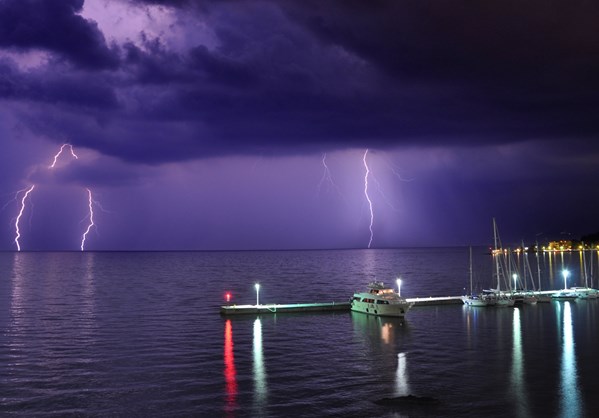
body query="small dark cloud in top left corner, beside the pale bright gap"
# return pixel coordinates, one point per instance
(54, 25)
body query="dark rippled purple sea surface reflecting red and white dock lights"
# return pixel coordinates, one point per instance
(139, 334)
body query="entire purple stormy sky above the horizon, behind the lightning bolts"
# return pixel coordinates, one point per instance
(203, 125)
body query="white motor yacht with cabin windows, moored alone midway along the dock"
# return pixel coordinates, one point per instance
(381, 301)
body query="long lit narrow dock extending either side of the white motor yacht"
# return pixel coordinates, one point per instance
(325, 307)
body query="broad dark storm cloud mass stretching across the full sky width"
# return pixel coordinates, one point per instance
(304, 76)
